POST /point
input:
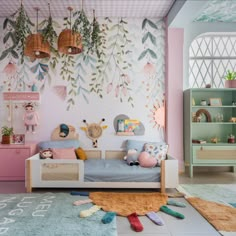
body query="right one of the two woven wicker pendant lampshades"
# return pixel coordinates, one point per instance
(69, 42)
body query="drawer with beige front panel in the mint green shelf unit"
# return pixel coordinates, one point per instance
(214, 154)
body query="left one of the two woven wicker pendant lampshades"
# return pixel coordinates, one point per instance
(35, 47)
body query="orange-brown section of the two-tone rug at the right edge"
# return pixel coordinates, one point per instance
(222, 217)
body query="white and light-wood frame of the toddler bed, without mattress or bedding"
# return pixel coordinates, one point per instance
(169, 173)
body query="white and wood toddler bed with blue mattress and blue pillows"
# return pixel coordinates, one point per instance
(102, 169)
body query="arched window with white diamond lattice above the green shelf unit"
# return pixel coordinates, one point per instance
(211, 55)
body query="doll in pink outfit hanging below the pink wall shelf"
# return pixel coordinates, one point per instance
(30, 118)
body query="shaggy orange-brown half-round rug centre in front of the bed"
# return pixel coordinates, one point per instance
(125, 204)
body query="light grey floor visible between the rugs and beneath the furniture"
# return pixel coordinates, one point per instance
(193, 224)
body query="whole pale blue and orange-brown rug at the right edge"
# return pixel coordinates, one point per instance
(215, 202)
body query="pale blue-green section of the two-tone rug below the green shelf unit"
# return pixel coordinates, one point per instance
(221, 193)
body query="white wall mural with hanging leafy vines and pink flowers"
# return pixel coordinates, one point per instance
(126, 77)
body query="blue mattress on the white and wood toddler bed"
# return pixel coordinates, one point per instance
(118, 171)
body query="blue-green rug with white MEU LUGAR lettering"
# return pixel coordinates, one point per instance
(51, 214)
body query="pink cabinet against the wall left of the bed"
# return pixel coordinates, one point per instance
(12, 163)
